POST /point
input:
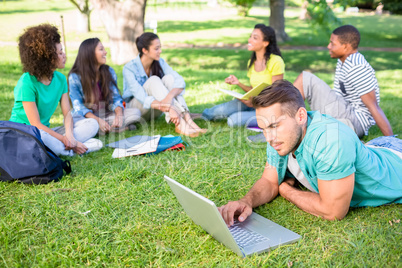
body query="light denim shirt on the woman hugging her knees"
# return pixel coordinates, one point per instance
(134, 77)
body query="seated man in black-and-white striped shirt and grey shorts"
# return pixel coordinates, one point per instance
(356, 95)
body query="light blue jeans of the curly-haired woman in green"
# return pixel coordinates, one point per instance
(84, 129)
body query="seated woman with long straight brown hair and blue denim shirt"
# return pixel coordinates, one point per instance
(94, 92)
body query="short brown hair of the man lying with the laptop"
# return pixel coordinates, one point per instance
(283, 92)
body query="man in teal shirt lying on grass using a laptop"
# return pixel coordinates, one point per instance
(323, 154)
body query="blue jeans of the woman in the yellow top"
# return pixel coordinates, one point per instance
(237, 113)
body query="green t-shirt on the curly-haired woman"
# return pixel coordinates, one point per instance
(46, 98)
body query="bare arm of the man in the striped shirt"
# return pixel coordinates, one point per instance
(370, 101)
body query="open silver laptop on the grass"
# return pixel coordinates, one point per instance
(253, 236)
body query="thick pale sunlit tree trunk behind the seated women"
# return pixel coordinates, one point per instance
(124, 21)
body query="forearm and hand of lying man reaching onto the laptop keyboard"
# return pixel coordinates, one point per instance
(263, 191)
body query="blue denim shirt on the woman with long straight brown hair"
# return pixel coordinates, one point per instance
(77, 95)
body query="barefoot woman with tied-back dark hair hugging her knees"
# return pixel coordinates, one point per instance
(152, 86)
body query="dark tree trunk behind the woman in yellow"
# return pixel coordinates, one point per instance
(277, 19)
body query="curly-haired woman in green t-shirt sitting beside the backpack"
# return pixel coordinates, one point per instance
(41, 88)
